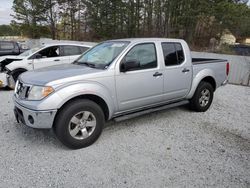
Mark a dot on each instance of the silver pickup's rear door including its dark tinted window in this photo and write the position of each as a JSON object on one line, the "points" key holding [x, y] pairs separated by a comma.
{"points": [[177, 71]]}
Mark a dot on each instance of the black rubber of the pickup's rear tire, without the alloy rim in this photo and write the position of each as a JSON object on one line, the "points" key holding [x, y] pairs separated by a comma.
{"points": [[195, 105]]}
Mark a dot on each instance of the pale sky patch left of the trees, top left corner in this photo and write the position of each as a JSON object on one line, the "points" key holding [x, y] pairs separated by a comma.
{"points": [[5, 11]]}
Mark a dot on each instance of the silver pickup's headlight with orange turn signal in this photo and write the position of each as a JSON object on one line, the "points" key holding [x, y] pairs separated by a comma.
{"points": [[39, 92]]}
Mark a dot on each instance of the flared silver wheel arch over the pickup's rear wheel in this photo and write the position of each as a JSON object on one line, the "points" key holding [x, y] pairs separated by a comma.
{"points": [[197, 79]]}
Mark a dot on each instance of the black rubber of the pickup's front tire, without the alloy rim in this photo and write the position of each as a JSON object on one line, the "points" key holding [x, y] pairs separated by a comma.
{"points": [[64, 117]]}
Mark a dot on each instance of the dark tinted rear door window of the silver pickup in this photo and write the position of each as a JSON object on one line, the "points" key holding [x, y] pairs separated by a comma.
{"points": [[173, 53]]}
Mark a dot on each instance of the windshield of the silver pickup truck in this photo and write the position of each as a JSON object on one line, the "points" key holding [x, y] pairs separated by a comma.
{"points": [[102, 55]]}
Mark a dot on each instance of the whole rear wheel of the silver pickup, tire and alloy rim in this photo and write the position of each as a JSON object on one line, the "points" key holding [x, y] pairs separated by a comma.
{"points": [[202, 98]]}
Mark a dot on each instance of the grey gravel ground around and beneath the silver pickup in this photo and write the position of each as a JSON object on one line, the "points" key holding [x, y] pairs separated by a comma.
{"points": [[172, 148]]}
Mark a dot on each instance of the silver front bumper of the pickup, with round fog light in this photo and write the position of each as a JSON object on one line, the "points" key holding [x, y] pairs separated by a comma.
{"points": [[33, 118]]}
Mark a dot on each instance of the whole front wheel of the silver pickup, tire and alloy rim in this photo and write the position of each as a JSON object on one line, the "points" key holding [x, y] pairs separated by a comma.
{"points": [[79, 124]]}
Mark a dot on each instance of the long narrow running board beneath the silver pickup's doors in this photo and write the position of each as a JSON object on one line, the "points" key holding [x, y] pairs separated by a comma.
{"points": [[140, 113]]}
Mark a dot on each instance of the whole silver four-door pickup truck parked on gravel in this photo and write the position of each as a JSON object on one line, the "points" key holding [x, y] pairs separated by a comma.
{"points": [[117, 79]]}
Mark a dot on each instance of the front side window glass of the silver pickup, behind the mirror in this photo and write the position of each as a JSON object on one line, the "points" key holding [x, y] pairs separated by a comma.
{"points": [[144, 55]]}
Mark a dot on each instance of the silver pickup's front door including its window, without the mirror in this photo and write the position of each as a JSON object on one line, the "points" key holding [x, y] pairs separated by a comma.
{"points": [[143, 85]]}
